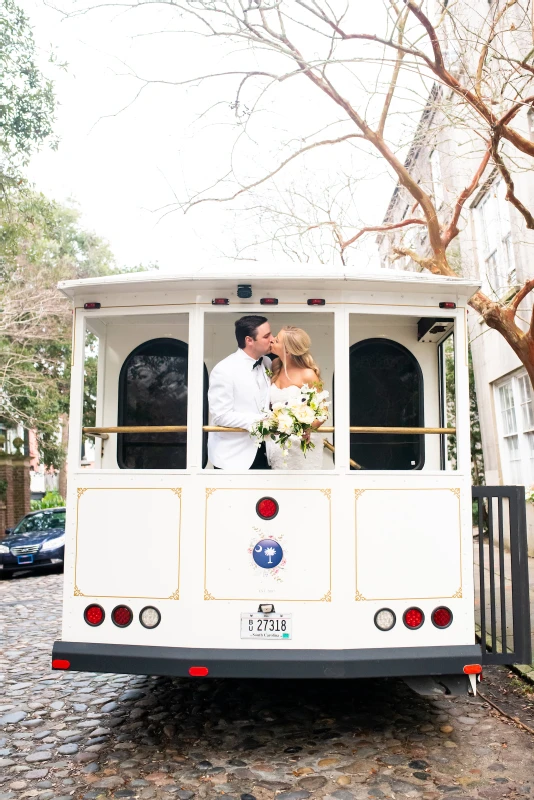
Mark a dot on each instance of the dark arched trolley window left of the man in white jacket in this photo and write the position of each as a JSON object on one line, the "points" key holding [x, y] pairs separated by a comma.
{"points": [[153, 390]]}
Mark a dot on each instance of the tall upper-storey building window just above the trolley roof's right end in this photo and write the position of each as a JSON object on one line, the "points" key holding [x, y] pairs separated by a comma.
{"points": [[494, 240]]}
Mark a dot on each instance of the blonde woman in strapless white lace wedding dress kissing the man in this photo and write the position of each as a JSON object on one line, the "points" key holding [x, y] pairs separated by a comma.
{"points": [[290, 371]]}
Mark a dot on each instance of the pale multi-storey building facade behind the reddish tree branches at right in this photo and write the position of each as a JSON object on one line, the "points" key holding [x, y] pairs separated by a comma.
{"points": [[494, 246]]}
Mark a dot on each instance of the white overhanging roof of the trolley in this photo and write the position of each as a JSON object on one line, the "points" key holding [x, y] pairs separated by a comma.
{"points": [[282, 275]]}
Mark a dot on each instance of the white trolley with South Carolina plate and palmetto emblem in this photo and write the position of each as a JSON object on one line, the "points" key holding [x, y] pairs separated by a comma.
{"points": [[374, 567]]}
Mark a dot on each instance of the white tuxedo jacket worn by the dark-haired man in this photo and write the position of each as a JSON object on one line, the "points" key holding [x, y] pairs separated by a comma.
{"points": [[237, 395]]}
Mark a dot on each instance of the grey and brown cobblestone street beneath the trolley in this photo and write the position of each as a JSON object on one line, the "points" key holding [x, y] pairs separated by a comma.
{"points": [[66, 735]]}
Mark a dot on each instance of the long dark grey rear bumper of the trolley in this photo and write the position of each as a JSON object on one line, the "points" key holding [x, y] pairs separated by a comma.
{"points": [[267, 663]]}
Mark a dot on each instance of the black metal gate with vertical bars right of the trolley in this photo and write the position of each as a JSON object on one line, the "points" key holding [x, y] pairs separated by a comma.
{"points": [[502, 604]]}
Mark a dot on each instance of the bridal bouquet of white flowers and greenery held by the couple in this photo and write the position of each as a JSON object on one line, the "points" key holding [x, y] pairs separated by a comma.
{"points": [[292, 420]]}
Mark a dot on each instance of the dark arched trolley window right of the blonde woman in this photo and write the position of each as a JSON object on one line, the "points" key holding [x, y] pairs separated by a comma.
{"points": [[386, 390]]}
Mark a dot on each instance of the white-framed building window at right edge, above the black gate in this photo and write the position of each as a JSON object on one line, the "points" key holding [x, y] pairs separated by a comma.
{"points": [[516, 409]]}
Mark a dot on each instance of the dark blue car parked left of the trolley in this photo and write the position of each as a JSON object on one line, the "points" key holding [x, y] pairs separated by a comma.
{"points": [[37, 541]]}
